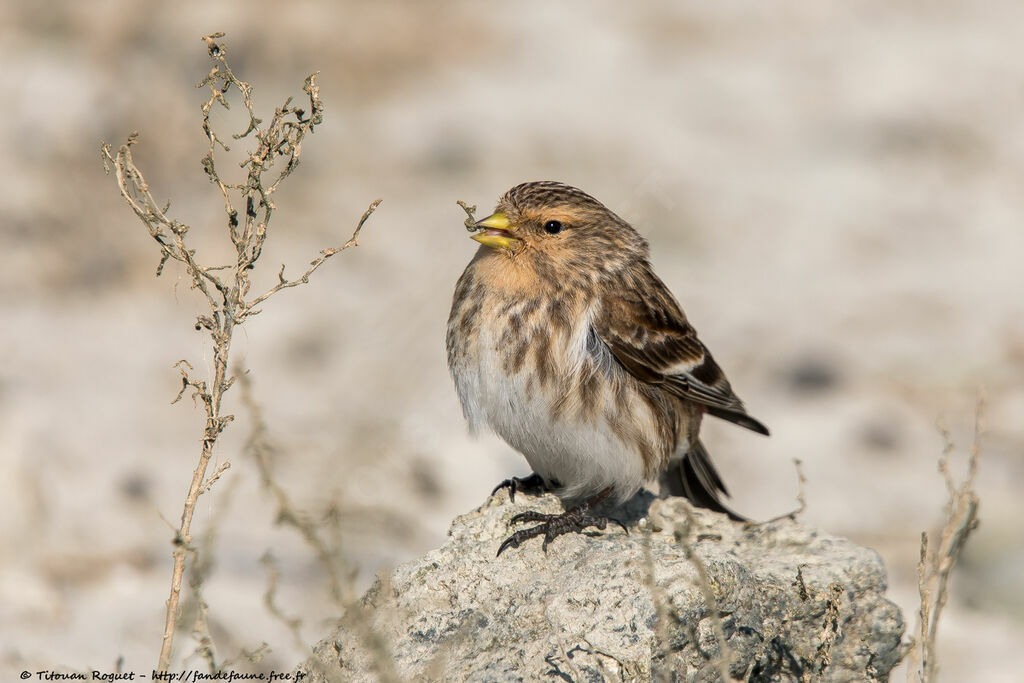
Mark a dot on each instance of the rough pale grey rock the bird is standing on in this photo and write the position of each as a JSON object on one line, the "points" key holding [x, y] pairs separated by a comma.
{"points": [[792, 603]]}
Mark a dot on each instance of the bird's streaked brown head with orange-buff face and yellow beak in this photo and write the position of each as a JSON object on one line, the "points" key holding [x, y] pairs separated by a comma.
{"points": [[554, 226]]}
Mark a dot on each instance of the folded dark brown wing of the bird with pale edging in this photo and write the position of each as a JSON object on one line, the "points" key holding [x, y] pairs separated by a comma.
{"points": [[649, 334]]}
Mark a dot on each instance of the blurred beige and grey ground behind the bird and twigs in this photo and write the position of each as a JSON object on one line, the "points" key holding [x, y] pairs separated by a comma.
{"points": [[832, 193]]}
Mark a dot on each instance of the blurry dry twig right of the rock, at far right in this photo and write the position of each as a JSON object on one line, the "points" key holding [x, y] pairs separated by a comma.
{"points": [[937, 561]]}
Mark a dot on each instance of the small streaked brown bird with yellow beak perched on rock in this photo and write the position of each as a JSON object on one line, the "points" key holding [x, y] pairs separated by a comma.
{"points": [[566, 344]]}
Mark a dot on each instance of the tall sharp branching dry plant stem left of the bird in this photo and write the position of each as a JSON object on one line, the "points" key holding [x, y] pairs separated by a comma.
{"points": [[278, 147]]}
